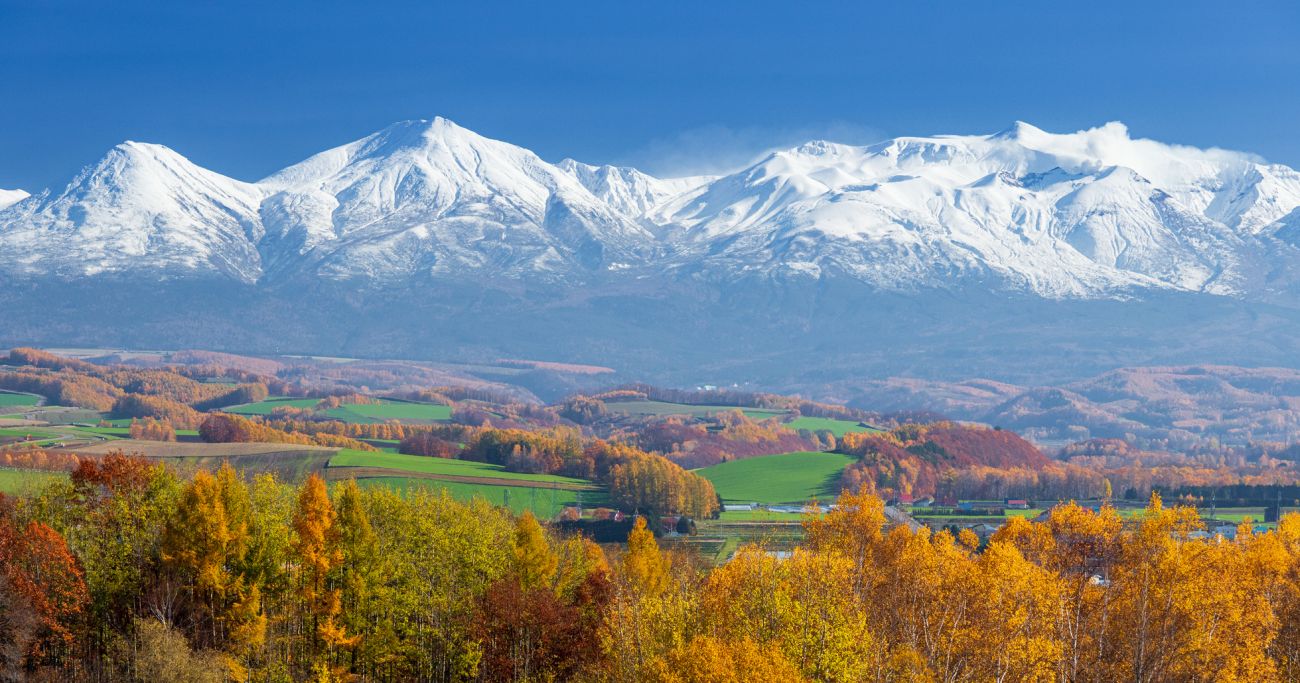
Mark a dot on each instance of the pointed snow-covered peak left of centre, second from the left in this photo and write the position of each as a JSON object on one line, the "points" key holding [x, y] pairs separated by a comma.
{"points": [[430, 198]]}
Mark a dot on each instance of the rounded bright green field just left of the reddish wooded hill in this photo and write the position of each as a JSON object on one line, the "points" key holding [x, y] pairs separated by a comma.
{"points": [[791, 478]]}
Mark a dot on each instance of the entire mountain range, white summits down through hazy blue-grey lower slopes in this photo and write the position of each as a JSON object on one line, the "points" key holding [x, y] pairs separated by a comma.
{"points": [[918, 254]]}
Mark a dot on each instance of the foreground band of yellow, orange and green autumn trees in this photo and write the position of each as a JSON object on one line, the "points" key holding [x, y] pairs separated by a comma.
{"points": [[127, 573]]}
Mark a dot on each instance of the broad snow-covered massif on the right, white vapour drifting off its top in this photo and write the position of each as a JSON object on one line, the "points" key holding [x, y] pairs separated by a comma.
{"points": [[1078, 215]]}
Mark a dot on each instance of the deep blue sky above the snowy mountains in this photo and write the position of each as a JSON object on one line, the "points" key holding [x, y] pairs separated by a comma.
{"points": [[249, 88]]}
